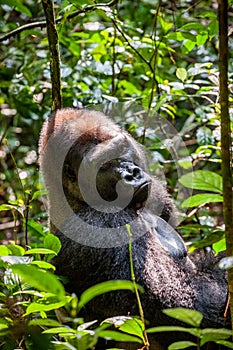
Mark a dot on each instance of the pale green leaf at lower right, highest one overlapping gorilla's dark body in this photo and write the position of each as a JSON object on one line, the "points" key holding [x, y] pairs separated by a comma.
{"points": [[192, 317]]}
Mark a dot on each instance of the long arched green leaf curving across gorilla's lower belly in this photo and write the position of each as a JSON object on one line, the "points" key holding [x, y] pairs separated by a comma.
{"points": [[105, 287]]}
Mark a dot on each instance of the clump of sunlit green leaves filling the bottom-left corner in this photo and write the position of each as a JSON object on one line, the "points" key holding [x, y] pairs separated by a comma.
{"points": [[35, 310]]}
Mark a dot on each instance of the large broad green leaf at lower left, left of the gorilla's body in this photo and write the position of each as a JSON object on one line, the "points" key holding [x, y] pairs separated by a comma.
{"points": [[39, 279]]}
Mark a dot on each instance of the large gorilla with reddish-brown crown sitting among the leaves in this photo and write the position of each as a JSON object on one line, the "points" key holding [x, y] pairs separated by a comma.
{"points": [[98, 181]]}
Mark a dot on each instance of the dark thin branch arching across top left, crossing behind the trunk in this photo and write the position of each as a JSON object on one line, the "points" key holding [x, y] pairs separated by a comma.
{"points": [[42, 24]]}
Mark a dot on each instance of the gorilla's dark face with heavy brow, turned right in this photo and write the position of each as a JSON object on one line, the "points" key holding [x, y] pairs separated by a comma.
{"points": [[111, 173]]}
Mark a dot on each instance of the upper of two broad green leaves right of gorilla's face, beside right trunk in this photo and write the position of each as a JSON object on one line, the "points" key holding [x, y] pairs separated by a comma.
{"points": [[202, 180]]}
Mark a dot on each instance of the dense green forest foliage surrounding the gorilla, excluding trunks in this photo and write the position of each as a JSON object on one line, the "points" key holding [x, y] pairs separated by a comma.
{"points": [[156, 54]]}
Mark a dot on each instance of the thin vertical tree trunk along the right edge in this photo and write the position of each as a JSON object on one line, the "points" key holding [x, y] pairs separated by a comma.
{"points": [[226, 137]]}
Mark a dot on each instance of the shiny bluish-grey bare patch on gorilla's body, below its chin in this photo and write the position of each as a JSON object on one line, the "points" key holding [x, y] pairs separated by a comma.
{"points": [[170, 240]]}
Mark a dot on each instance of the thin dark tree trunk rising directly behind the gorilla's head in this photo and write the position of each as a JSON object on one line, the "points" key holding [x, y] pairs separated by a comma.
{"points": [[54, 54]]}
